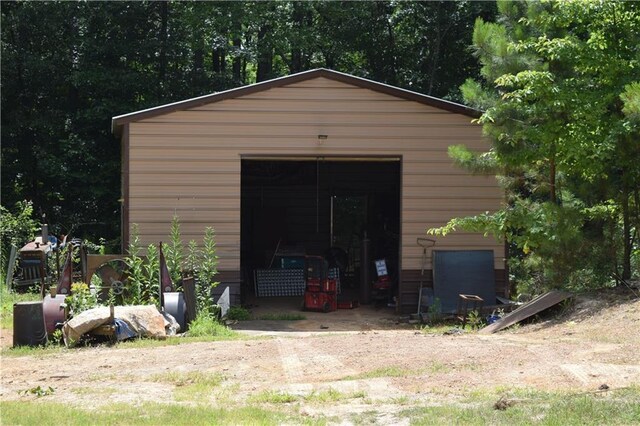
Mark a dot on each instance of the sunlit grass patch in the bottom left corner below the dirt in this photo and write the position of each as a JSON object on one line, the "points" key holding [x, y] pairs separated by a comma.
{"points": [[30, 413]]}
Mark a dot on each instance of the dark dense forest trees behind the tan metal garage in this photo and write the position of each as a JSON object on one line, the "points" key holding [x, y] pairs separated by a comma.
{"points": [[68, 67]]}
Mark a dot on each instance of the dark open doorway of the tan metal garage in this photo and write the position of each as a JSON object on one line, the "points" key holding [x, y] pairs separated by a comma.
{"points": [[338, 208]]}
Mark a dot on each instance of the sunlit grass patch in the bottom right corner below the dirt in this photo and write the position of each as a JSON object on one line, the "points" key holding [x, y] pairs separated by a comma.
{"points": [[535, 407]]}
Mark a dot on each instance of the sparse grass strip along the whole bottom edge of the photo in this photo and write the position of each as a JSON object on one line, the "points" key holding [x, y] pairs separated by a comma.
{"points": [[522, 407]]}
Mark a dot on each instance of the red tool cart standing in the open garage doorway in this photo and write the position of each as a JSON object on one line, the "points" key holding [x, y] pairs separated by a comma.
{"points": [[321, 292]]}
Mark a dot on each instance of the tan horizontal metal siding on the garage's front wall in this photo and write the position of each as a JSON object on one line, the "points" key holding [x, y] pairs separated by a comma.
{"points": [[188, 162]]}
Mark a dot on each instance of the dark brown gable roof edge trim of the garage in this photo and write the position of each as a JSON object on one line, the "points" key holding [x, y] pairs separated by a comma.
{"points": [[117, 122]]}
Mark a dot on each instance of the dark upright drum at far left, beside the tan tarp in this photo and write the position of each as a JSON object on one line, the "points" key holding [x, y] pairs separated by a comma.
{"points": [[28, 324]]}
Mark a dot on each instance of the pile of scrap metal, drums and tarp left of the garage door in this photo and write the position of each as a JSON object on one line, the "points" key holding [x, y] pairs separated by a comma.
{"points": [[36, 322]]}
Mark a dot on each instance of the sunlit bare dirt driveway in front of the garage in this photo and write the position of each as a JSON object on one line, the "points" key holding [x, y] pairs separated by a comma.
{"points": [[595, 343]]}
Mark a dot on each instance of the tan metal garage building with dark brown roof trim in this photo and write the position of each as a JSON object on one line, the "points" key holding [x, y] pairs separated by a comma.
{"points": [[303, 163]]}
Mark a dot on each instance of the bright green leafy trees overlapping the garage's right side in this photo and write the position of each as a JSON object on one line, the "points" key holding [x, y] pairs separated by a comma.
{"points": [[561, 98]]}
